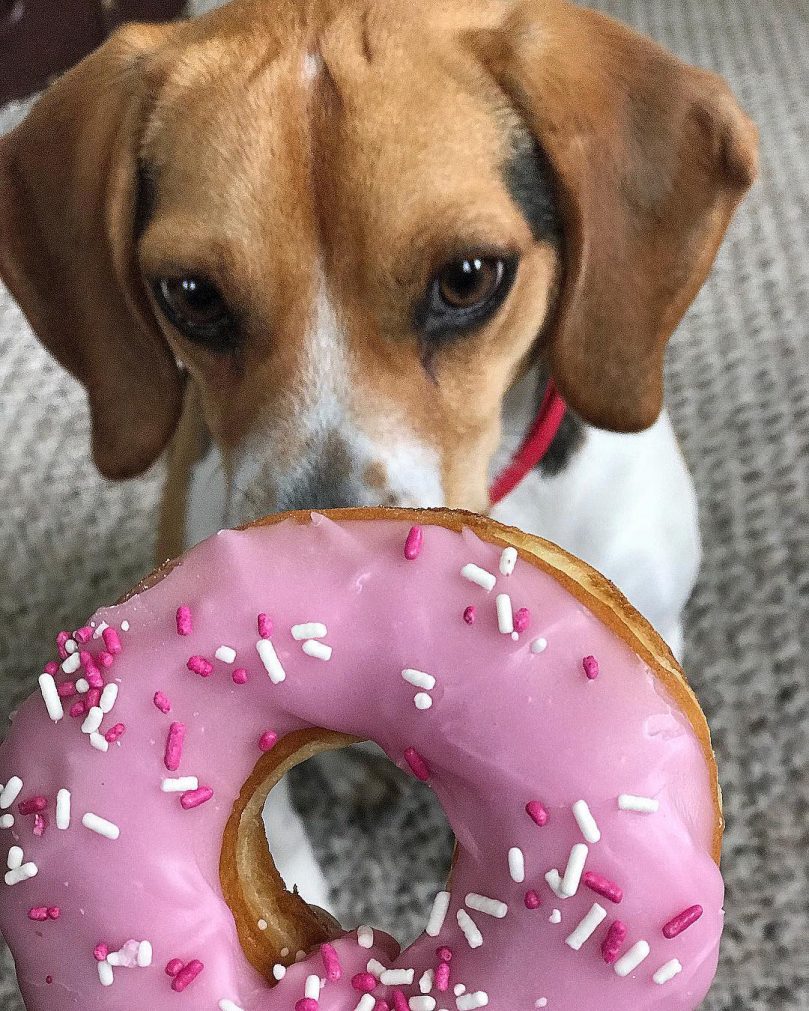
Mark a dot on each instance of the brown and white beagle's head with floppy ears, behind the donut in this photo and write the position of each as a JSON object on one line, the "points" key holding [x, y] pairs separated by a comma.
{"points": [[355, 224]]}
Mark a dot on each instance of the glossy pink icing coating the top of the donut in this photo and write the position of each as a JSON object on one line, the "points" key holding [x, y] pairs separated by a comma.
{"points": [[506, 726]]}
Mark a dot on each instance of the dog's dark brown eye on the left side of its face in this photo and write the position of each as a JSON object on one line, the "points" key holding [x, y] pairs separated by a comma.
{"points": [[198, 310]]}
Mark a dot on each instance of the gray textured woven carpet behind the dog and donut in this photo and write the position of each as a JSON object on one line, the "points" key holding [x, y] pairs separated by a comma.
{"points": [[739, 389]]}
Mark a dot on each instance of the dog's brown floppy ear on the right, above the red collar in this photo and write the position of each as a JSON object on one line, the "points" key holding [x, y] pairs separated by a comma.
{"points": [[651, 157]]}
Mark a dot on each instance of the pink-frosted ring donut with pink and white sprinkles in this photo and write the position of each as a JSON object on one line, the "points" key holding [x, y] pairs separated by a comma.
{"points": [[561, 738]]}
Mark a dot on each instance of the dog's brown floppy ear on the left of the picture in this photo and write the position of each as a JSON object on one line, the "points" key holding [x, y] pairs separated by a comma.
{"points": [[68, 197]]}
